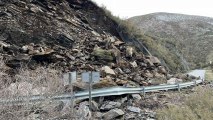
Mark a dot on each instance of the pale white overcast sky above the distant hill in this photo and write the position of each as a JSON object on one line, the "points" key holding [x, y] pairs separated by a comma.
{"points": [[130, 8]]}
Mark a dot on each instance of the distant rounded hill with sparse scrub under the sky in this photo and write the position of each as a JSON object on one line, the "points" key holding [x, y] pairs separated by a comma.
{"points": [[187, 37]]}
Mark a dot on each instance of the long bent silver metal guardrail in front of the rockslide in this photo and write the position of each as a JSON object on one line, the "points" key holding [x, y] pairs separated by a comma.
{"points": [[113, 91]]}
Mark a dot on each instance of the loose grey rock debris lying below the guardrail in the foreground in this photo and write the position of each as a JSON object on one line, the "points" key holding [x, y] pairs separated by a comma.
{"points": [[121, 108]]}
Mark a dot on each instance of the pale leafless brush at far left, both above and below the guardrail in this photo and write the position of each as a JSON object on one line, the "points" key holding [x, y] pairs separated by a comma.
{"points": [[42, 80]]}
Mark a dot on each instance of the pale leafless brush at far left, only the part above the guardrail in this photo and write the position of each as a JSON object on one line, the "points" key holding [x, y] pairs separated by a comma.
{"points": [[27, 82]]}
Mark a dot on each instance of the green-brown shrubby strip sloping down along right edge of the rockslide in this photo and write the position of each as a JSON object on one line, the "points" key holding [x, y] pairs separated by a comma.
{"points": [[146, 44]]}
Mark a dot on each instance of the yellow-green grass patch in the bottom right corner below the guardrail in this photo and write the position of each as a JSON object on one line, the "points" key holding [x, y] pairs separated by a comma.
{"points": [[198, 106]]}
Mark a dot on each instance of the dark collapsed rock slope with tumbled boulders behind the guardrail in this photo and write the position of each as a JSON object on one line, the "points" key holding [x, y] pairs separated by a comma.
{"points": [[57, 34]]}
